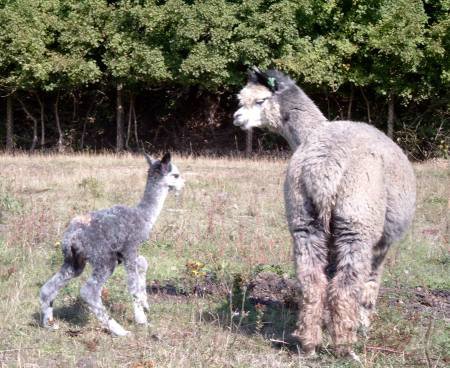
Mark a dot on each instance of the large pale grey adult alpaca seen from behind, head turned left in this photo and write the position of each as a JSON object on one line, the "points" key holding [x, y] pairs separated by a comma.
{"points": [[349, 194]]}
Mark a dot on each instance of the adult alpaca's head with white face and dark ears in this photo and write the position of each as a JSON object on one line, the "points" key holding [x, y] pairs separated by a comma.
{"points": [[260, 101]]}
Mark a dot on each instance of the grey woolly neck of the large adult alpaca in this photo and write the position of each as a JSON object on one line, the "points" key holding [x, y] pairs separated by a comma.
{"points": [[301, 118]]}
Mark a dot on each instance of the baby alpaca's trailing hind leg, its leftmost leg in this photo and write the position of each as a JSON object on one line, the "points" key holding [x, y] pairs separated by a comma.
{"points": [[50, 289]]}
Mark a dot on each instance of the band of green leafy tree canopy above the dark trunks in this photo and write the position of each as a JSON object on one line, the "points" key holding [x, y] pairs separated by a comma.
{"points": [[391, 47]]}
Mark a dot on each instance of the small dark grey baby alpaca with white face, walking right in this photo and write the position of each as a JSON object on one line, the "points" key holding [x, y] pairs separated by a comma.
{"points": [[107, 237]]}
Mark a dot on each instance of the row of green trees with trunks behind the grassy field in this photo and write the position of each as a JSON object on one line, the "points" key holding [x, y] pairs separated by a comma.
{"points": [[366, 54]]}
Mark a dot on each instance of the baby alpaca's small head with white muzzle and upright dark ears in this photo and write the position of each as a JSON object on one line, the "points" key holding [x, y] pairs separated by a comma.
{"points": [[165, 172]]}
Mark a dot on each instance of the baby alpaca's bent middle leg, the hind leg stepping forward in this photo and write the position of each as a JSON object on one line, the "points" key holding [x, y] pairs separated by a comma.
{"points": [[91, 294]]}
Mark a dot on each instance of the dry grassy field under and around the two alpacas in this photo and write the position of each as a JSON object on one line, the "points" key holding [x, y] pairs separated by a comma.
{"points": [[227, 226]]}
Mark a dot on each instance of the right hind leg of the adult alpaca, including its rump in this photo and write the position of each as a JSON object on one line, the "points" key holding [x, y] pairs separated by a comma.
{"points": [[357, 227]]}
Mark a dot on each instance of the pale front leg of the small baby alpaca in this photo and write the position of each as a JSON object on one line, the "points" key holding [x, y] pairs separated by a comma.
{"points": [[136, 269]]}
